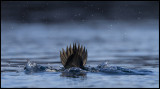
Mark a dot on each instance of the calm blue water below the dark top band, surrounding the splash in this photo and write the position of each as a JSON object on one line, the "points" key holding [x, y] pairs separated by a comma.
{"points": [[128, 45]]}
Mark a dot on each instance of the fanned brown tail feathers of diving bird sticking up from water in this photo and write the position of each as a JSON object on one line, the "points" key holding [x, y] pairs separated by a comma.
{"points": [[74, 57]]}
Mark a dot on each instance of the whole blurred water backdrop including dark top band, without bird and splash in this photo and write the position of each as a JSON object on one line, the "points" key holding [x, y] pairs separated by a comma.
{"points": [[124, 33]]}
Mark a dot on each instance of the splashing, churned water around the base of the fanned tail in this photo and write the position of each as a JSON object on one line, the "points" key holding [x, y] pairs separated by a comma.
{"points": [[75, 72]]}
